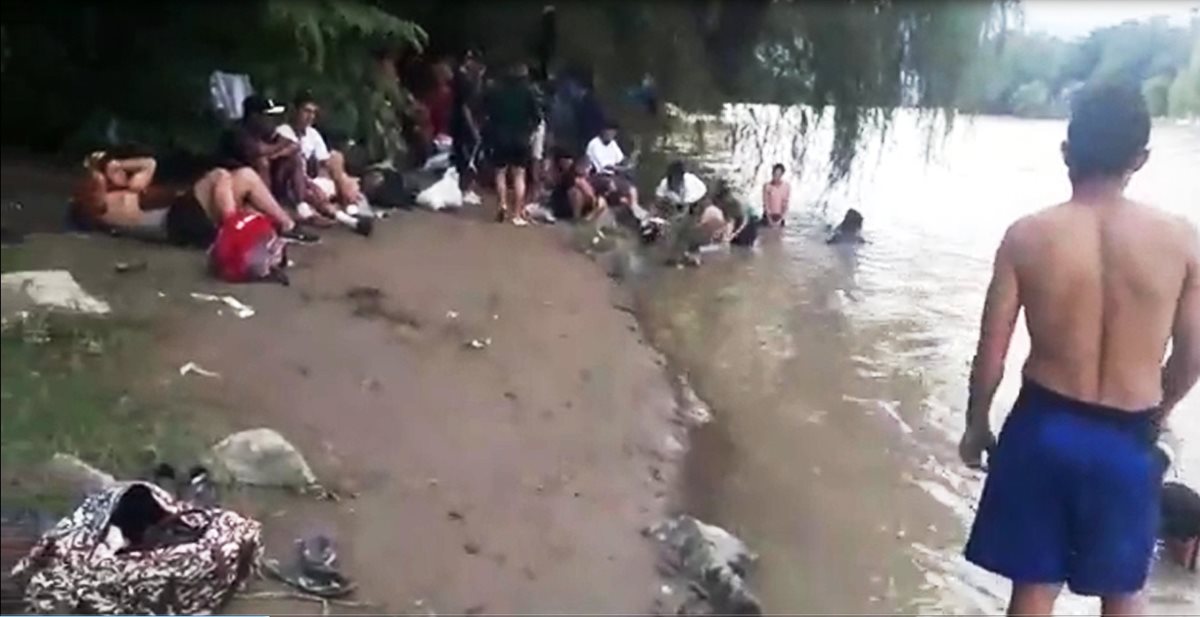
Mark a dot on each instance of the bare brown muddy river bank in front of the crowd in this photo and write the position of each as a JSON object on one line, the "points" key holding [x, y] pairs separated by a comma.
{"points": [[515, 478]]}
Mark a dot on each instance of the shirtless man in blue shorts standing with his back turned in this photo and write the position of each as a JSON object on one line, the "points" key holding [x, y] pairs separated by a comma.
{"points": [[1073, 489]]}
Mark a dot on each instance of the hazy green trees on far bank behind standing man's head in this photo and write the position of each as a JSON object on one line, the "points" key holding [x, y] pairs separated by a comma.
{"points": [[1034, 75]]}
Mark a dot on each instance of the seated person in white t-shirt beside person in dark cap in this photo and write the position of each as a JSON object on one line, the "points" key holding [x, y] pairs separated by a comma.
{"points": [[334, 193]]}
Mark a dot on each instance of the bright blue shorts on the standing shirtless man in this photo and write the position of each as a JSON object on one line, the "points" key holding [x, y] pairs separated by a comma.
{"points": [[1072, 496]]}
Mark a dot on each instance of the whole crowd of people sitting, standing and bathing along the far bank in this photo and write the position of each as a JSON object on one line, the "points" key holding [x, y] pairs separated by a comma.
{"points": [[274, 164]]}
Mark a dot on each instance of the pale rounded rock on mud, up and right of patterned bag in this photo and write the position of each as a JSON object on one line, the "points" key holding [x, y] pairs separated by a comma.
{"points": [[260, 458]]}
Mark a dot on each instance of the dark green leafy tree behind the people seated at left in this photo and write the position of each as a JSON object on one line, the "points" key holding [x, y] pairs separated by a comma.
{"points": [[73, 69]]}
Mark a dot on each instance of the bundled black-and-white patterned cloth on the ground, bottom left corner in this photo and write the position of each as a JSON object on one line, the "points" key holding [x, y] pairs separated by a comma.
{"points": [[133, 549]]}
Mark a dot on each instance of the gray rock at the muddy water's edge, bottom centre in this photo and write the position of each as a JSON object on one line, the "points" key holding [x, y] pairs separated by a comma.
{"points": [[712, 559]]}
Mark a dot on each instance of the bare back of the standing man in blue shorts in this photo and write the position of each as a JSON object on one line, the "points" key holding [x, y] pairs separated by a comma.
{"points": [[1102, 286]]}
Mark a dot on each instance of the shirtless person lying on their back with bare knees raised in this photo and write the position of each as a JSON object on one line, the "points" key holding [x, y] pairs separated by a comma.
{"points": [[121, 195]]}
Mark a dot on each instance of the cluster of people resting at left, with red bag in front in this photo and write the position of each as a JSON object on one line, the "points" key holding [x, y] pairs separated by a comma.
{"points": [[275, 181]]}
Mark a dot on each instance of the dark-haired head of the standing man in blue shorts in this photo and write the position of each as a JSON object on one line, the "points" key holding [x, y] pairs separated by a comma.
{"points": [[1109, 128]]}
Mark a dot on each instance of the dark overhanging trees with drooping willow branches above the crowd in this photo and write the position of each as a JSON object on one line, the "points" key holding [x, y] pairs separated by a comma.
{"points": [[73, 68]]}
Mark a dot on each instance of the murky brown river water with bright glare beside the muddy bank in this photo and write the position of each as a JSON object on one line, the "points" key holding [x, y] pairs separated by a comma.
{"points": [[838, 376]]}
